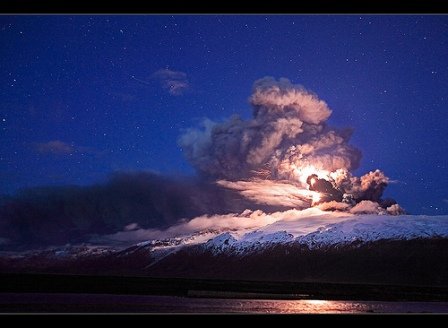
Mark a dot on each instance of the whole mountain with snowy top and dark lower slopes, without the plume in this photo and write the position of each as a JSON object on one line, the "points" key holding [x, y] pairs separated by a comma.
{"points": [[296, 245]]}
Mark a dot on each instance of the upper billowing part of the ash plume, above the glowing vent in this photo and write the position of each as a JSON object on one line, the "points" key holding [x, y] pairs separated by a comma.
{"points": [[286, 135]]}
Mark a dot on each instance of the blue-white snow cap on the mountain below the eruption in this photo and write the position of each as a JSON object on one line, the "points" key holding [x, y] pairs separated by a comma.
{"points": [[323, 230]]}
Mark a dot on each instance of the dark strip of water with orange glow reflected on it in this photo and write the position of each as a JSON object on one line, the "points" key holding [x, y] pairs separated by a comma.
{"points": [[14, 302]]}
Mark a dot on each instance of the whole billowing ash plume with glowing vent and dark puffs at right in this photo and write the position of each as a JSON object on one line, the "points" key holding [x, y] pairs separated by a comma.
{"points": [[285, 143]]}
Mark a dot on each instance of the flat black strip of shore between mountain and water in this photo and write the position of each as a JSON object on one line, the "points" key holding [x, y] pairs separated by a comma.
{"points": [[214, 288]]}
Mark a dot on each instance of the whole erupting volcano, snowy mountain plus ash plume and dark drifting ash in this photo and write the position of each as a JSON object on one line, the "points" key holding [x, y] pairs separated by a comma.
{"points": [[276, 189]]}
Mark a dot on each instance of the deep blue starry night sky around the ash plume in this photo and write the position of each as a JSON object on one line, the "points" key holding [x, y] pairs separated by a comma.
{"points": [[80, 96]]}
